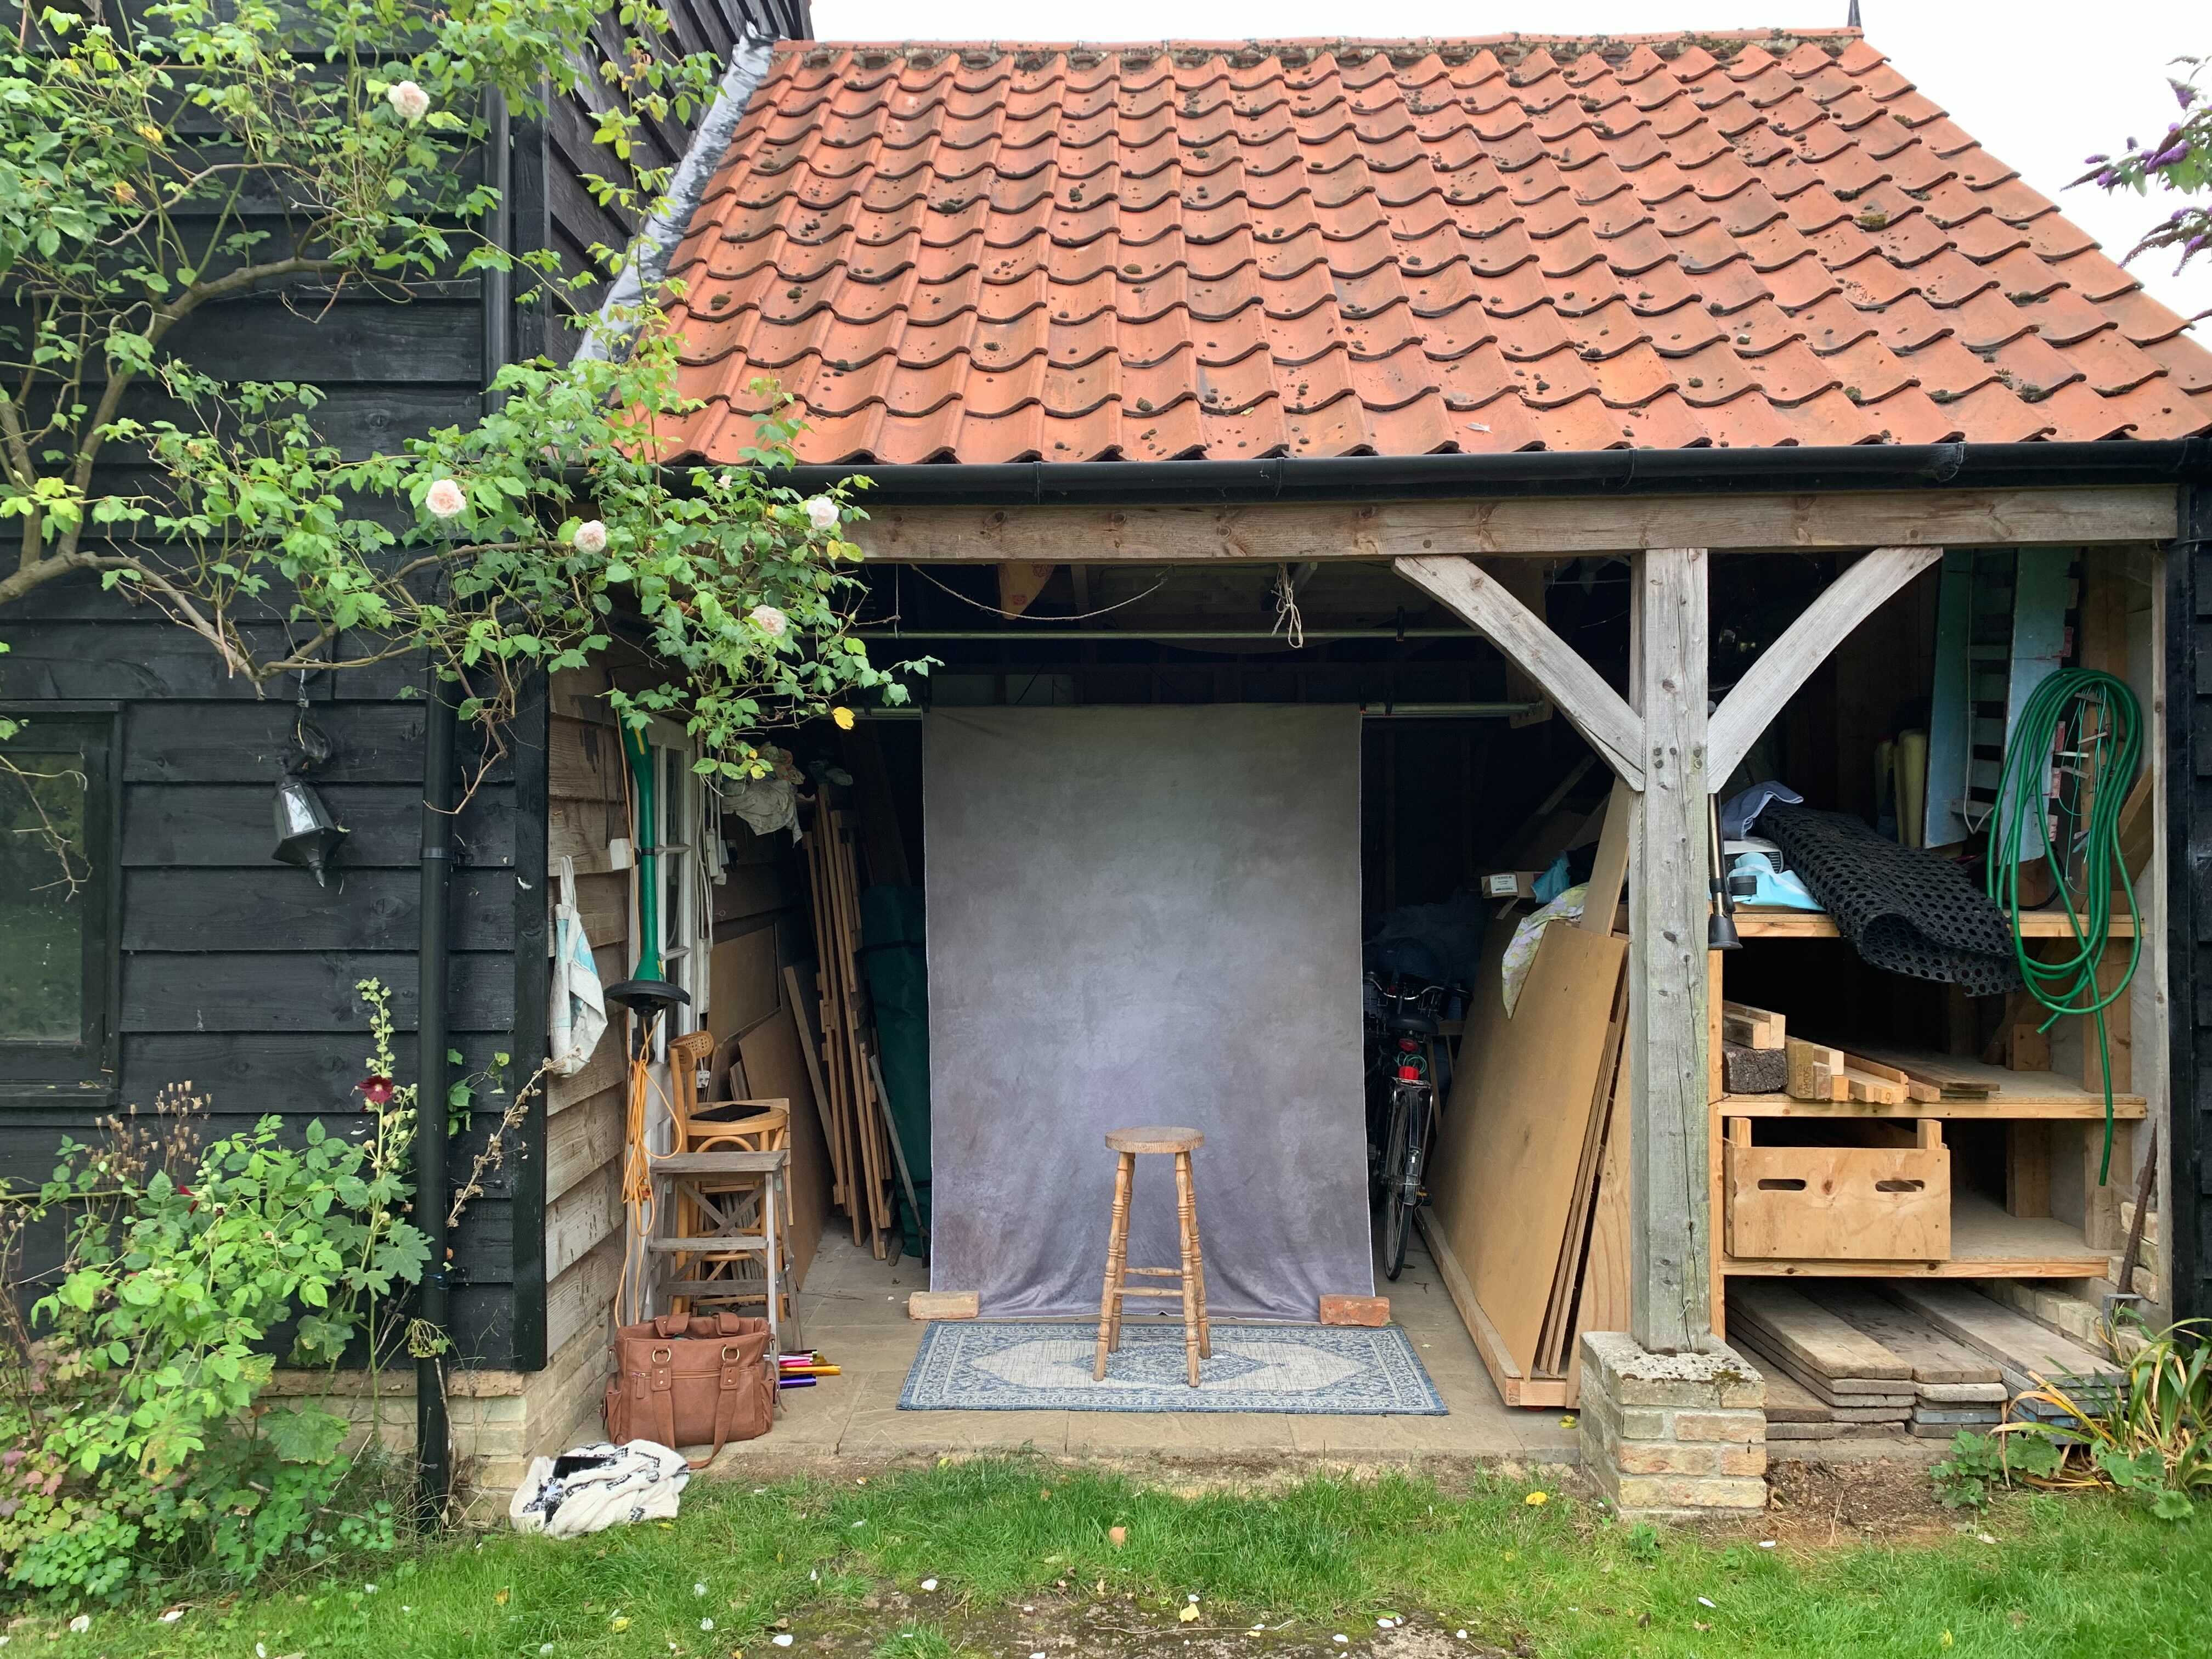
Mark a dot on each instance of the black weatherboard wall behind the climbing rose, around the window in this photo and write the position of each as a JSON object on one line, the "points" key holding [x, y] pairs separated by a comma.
{"points": [[236, 972]]}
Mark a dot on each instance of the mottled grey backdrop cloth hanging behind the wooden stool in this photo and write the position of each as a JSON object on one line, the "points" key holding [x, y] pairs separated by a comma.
{"points": [[1147, 917]]}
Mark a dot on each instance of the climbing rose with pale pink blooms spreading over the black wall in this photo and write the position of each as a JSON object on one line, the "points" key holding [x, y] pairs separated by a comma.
{"points": [[200, 152]]}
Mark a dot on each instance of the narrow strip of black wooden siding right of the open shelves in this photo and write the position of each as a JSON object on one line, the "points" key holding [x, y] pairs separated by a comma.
{"points": [[2189, 901]]}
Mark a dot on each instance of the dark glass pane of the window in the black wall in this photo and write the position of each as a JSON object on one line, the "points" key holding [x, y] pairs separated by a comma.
{"points": [[43, 897]]}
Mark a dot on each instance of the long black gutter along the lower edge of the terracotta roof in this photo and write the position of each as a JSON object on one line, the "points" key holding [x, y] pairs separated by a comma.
{"points": [[1541, 472]]}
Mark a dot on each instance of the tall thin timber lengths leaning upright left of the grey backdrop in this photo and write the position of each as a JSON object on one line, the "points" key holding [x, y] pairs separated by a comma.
{"points": [[842, 1052]]}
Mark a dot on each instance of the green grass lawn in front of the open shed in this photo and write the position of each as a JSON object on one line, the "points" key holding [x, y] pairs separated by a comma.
{"points": [[1025, 1563]]}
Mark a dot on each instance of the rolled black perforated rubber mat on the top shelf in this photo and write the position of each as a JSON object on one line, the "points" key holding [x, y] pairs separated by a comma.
{"points": [[1903, 908]]}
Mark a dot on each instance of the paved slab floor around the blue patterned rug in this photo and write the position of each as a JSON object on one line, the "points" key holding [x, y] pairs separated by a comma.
{"points": [[855, 1308]]}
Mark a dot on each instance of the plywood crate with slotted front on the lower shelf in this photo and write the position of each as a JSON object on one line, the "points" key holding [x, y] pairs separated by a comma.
{"points": [[1839, 1202]]}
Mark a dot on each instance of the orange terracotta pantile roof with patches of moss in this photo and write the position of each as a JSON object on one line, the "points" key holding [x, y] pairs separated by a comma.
{"points": [[1331, 249]]}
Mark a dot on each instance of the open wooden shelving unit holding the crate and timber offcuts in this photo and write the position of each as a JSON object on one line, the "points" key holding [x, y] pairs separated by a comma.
{"points": [[2016, 1238]]}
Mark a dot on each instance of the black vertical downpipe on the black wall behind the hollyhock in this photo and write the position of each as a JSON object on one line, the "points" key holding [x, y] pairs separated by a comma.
{"points": [[435, 1450]]}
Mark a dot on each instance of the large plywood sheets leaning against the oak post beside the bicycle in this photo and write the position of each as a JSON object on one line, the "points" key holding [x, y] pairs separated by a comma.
{"points": [[1530, 1187]]}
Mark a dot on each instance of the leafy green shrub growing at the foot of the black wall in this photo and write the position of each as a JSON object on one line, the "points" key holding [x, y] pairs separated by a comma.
{"points": [[132, 1406]]}
